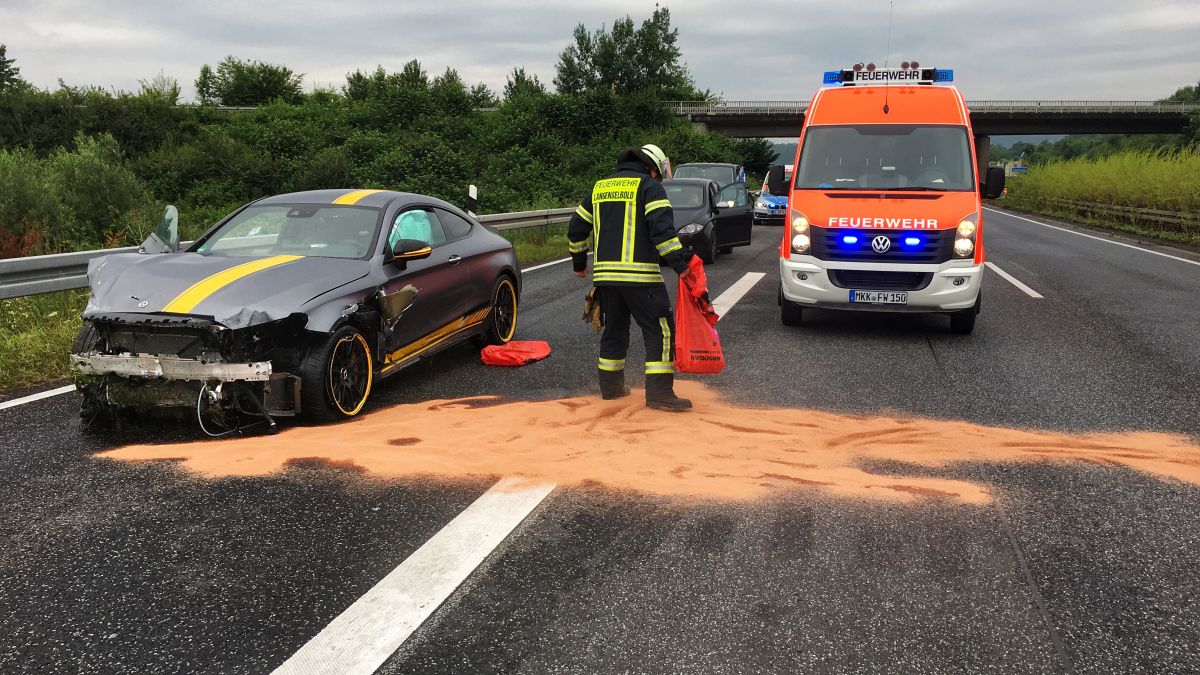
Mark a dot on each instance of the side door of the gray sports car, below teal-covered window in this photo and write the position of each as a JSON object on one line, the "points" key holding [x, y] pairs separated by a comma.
{"points": [[425, 296]]}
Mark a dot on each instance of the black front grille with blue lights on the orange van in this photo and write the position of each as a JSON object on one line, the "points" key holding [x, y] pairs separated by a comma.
{"points": [[937, 246]]}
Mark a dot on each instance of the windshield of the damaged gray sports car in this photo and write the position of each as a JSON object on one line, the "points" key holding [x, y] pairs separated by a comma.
{"points": [[325, 231]]}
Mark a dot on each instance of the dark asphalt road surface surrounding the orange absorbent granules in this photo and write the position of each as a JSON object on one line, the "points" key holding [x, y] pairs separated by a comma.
{"points": [[1075, 568]]}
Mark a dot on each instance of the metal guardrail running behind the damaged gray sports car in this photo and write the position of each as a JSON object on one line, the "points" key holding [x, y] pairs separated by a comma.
{"points": [[63, 272]]}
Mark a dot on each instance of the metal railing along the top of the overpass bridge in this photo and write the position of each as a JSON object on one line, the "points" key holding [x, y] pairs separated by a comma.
{"points": [[979, 106]]}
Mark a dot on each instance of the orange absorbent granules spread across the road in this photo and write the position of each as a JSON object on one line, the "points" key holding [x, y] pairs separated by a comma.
{"points": [[721, 451]]}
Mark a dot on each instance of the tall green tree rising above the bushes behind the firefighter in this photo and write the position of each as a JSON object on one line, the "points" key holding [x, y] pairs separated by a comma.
{"points": [[627, 59]]}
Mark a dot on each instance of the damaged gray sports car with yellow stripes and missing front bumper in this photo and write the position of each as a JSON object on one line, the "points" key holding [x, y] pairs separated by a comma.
{"points": [[296, 304]]}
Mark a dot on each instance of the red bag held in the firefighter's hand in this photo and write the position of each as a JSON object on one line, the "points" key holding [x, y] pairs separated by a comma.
{"points": [[698, 347]]}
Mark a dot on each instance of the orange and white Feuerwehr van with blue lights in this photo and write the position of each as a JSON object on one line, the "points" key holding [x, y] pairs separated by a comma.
{"points": [[885, 200]]}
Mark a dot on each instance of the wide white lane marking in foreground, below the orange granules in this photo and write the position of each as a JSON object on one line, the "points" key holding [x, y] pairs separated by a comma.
{"points": [[371, 630]]}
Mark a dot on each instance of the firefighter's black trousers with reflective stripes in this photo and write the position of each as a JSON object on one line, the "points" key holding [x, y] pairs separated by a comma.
{"points": [[649, 306]]}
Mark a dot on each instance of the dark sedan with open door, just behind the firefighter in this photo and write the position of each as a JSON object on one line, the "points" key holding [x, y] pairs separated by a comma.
{"points": [[710, 220]]}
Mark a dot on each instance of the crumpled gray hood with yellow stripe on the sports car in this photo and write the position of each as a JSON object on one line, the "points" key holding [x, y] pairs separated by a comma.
{"points": [[233, 291]]}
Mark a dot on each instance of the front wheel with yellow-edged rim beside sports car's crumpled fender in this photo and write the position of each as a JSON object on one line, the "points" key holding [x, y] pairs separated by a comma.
{"points": [[337, 377]]}
